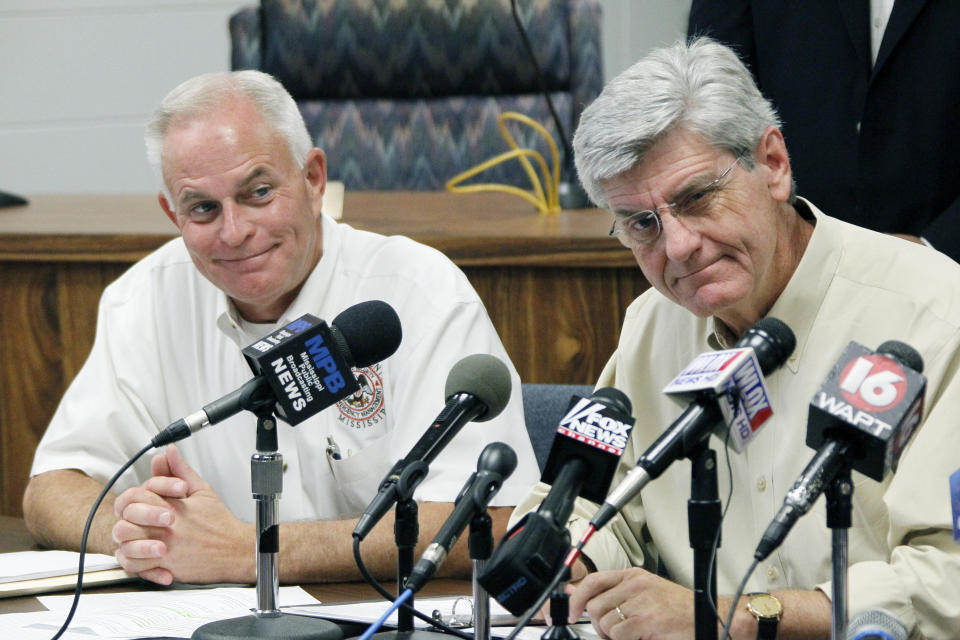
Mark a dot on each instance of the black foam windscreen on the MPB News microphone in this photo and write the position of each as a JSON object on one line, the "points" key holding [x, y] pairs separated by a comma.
{"points": [[371, 331]]}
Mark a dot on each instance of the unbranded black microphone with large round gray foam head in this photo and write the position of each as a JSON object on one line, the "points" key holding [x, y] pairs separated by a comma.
{"points": [[478, 389]]}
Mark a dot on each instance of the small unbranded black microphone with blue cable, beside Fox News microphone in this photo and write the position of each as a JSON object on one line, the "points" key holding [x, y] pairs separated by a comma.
{"points": [[495, 464]]}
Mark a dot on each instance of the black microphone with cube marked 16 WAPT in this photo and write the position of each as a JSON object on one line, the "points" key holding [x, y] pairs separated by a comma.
{"points": [[862, 415]]}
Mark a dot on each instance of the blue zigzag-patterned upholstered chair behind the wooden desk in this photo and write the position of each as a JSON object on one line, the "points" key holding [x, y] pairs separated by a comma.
{"points": [[405, 95]]}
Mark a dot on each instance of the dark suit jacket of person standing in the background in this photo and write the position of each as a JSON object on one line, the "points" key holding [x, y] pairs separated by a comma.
{"points": [[880, 146]]}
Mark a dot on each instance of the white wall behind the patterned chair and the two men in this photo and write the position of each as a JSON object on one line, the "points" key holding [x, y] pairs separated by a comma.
{"points": [[78, 78]]}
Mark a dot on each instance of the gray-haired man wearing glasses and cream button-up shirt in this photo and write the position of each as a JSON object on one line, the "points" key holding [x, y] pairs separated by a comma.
{"points": [[688, 156]]}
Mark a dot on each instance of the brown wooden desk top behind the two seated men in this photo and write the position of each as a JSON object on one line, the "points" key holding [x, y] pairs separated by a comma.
{"points": [[472, 229]]}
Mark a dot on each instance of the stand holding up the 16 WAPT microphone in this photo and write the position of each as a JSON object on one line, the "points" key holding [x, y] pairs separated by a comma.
{"points": [[839, 495]]}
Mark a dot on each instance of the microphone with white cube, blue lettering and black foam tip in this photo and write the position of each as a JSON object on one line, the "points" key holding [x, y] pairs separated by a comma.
{"points": [[714, 380]]}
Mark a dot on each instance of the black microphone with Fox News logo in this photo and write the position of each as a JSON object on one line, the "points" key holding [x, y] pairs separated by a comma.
{"points": [[583, 459]]}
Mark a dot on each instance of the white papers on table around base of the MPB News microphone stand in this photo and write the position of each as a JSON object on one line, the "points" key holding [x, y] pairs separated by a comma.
{"points": [[143, 613]]}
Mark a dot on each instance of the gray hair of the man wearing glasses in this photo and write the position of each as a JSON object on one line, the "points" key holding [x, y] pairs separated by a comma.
{"points": [[700, 86]]}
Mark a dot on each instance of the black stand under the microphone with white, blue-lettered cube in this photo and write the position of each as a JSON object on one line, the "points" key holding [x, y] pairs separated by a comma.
{"points": [[703, 522]]}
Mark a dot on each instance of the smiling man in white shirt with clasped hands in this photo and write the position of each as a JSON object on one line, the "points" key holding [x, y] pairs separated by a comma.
{"points": [[244, 185]]}
